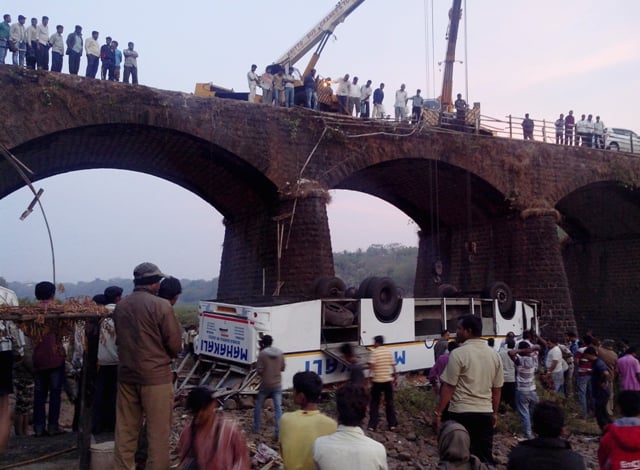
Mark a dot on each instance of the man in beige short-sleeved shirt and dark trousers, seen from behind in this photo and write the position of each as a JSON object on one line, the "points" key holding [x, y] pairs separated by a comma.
{"points": [[471, 386]]}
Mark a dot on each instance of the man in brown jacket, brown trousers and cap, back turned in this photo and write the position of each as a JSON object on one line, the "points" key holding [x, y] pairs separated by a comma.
{"points": [[149, 337]]}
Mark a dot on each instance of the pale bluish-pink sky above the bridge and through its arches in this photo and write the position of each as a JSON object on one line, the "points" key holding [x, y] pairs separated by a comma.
{"points": [[543, 58]]}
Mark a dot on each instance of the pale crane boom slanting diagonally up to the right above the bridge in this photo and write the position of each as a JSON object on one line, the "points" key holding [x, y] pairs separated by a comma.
{"points": [[319, 34]]}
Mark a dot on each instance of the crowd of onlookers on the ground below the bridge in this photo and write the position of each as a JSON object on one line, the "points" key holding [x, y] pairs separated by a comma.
{"points": [[474, 382]]}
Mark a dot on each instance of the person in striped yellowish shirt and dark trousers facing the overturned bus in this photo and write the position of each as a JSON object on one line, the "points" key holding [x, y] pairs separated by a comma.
{"points": [[383, 376]]}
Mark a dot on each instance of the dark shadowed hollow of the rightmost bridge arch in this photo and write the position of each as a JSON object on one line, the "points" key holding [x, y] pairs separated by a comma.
{"points": [[600, 247]]}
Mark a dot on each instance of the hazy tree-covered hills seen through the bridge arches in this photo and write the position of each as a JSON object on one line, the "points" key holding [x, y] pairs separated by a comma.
{"points": [[394, 260]]}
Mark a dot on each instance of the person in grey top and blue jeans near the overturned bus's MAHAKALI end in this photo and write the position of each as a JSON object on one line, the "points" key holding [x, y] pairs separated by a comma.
{"points": [[269, 367]]}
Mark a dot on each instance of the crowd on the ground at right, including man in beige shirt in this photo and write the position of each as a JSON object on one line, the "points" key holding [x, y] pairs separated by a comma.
{"points": [[475, 383]]}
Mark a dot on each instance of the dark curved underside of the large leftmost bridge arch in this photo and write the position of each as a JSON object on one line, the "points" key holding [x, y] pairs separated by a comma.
{"points": [[222, 179]]}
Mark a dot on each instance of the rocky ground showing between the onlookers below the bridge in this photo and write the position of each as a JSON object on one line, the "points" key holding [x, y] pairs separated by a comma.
{"points": [[411, 446]]}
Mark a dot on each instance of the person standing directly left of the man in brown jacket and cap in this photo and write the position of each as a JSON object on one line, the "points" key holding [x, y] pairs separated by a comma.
{"points": [[104, 401]]}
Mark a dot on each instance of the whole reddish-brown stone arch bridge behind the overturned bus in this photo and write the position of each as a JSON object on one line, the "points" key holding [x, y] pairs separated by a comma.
{"points": [[555, 223]]}
